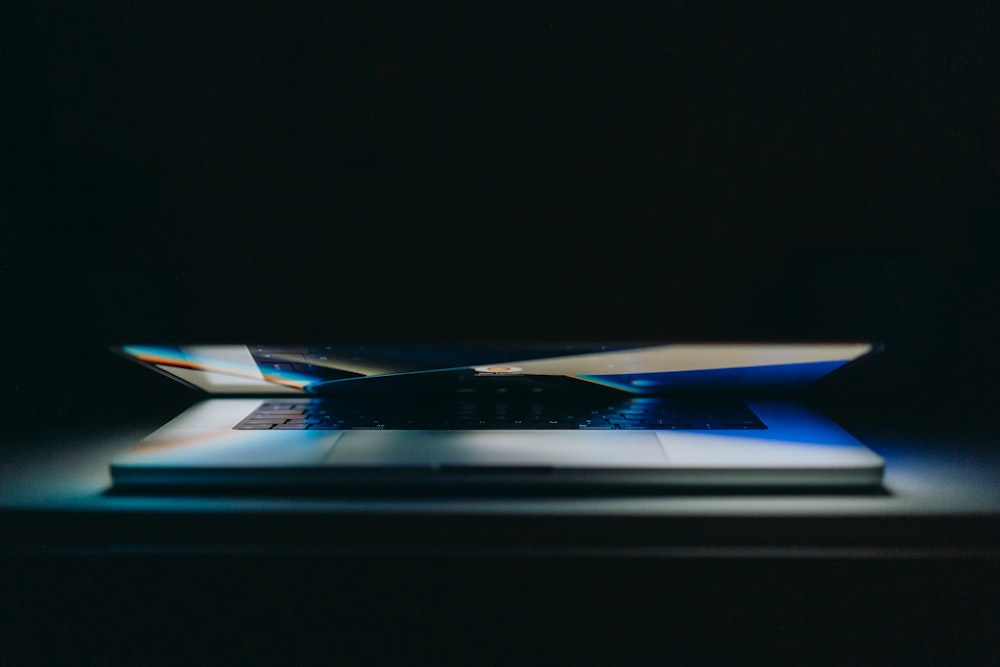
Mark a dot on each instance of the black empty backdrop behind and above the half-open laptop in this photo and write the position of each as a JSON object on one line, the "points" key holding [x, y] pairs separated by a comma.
{"points": [[371, 171]]}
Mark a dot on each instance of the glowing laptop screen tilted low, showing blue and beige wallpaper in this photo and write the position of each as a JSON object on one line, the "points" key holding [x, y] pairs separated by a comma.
{"points": [[633, 368]]}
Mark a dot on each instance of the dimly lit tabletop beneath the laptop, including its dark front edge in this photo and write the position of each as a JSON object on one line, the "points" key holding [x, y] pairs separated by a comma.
{"points": [[940, 494]]}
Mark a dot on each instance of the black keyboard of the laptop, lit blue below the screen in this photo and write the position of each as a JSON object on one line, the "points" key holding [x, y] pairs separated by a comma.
{"points": [[639, 413]]}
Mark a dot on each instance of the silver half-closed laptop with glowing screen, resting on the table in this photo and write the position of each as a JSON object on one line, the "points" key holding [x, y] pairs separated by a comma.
{"points": [[581, 414]]}
